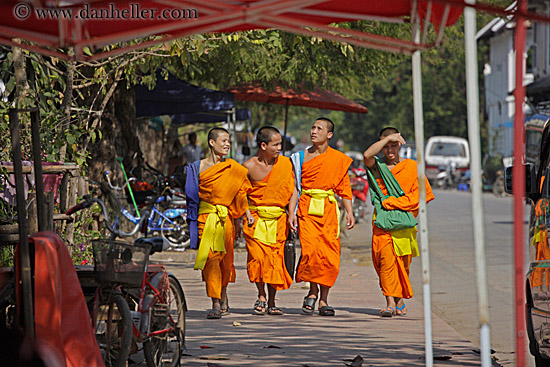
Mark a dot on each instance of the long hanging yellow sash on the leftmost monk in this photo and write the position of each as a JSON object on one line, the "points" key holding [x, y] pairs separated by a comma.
{"points": [[213, 234]]}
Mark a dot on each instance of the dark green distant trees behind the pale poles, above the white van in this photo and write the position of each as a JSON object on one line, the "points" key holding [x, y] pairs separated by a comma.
{"points": [[443, 90]]}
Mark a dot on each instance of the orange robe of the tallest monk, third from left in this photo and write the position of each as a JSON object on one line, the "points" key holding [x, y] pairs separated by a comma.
{"points": [[319, 235]]}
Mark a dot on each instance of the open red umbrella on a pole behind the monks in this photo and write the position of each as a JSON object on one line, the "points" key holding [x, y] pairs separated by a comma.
{"points": [[317, 98]]}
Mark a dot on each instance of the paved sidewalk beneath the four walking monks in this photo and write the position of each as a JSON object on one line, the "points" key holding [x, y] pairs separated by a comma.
{"points": [[244, 339]]}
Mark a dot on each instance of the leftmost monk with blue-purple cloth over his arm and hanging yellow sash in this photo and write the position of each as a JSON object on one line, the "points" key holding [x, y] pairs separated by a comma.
{"points": [[216, 192]]}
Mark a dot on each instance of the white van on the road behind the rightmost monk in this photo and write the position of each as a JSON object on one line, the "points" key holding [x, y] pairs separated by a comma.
{"points": [[441, 151]]}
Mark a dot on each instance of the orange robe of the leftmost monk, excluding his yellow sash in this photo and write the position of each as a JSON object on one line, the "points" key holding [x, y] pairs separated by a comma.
{"points": [[225, 184]]}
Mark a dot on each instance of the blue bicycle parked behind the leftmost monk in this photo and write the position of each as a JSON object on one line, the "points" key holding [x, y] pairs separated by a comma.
{"points": [[170, 223]]}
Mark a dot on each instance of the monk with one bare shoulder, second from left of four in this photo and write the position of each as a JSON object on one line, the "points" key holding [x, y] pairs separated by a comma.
{"points": [[272, 187]]}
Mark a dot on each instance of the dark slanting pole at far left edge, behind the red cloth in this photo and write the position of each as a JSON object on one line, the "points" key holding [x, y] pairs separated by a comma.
{"points": [[24, 263]]}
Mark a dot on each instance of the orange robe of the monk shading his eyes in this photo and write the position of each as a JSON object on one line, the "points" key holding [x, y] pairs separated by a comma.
{"points": [[393, 270]]}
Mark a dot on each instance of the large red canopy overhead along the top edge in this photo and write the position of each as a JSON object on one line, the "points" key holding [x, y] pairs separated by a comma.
{"points": [[53, 24]]}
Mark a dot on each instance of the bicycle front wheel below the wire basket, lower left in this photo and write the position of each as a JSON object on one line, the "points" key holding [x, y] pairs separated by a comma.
{"points": [[113, 329]]}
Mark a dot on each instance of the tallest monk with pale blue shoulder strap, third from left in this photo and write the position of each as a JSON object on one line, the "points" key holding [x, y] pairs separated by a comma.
{"points": [[321, 172]]}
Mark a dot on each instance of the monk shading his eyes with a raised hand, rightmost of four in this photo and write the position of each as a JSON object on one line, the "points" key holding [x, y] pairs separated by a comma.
{"points": [[392, 259]]}
